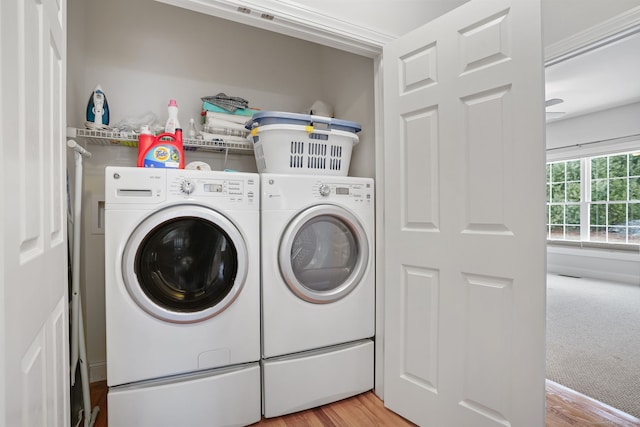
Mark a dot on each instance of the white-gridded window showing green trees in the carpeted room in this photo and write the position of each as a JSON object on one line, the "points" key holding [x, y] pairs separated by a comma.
{"points": [[595, 199]]}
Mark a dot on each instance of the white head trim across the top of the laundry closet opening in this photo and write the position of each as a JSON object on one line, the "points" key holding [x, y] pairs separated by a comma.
{"points": [[291, 19]]}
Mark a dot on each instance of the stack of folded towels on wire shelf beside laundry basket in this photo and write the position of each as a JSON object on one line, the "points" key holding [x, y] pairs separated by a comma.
{"points": [[225, 117]]}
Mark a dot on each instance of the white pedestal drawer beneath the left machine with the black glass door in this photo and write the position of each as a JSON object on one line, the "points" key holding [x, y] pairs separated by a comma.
{"points": [[221, 397]]}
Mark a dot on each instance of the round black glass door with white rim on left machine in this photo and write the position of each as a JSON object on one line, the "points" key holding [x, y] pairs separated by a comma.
{"points": [[185, 263]]}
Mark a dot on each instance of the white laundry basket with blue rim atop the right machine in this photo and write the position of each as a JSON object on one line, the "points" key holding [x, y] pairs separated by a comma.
{"points": [[302, 144]]}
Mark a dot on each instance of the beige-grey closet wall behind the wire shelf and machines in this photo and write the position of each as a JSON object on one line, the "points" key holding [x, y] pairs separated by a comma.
{"points": [[144, 52]]}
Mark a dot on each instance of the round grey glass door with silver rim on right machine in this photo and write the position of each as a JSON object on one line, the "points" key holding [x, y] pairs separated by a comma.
{"points": [[323, 254]]}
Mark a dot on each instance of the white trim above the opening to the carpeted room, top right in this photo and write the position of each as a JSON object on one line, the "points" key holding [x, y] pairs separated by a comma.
{"points": [[608, 31]]}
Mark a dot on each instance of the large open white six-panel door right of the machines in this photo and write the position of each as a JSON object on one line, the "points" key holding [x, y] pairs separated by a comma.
{"points": [[464, 218]]}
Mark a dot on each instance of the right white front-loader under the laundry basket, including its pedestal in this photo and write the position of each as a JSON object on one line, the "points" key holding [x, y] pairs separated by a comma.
{"points": [[318, 289]]}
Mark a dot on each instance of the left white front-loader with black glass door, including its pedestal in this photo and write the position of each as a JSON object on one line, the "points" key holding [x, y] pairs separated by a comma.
{"points": [[182, 295]]}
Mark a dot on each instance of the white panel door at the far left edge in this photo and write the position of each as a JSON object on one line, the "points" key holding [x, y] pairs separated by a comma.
{"points": [[34, 348]]}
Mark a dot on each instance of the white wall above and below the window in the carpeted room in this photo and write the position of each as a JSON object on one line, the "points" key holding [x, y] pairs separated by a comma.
{"points": [[617, 129]]}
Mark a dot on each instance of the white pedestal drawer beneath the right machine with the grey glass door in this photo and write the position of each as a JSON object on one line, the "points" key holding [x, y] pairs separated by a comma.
{"points": [[301, 381]]}
